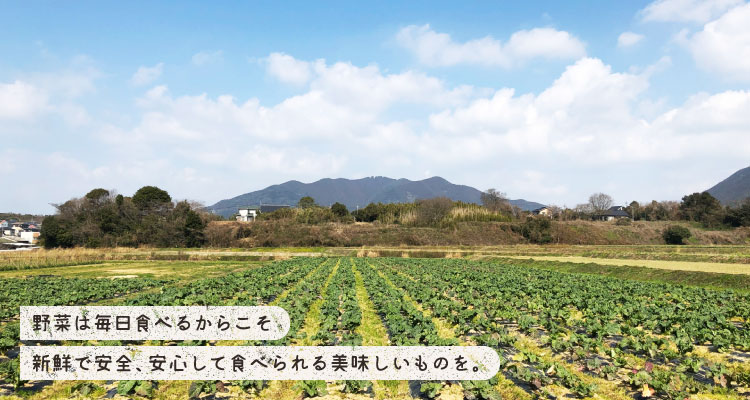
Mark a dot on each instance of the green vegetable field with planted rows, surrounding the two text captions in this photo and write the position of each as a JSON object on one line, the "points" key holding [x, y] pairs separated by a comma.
{"points": [[561, 332]]}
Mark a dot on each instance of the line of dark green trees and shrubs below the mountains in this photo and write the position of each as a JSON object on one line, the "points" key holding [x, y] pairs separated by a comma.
{"points": [[150, 217]]}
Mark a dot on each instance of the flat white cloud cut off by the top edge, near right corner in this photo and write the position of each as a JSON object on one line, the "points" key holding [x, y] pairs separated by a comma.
{"points": [[699, 11]]}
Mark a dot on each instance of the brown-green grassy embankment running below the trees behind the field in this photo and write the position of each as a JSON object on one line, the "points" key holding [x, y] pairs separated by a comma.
{"points": [[288, 233]]}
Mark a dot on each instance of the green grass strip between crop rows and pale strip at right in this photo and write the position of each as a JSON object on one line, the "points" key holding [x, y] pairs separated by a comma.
{"points": [[689, 278]]}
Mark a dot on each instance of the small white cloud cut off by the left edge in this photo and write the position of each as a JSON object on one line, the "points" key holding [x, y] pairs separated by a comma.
{"points": [[21, 101]]}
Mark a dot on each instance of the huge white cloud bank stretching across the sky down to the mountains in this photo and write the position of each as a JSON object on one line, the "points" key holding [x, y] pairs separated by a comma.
{"points": [[358, 121]]}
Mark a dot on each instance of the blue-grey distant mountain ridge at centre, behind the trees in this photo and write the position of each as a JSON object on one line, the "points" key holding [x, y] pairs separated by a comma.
{"points": [[357, 192]]}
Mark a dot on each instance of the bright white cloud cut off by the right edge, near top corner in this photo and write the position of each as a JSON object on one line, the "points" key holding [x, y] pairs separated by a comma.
{"points": [[723, 46]]}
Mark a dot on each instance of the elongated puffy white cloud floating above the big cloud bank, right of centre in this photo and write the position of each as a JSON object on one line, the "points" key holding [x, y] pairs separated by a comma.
{"points": [[439, 49]]}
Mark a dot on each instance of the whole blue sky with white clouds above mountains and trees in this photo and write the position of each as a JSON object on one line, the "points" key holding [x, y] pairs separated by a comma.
{"points": [[548, 101]]}
